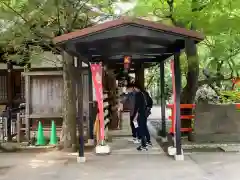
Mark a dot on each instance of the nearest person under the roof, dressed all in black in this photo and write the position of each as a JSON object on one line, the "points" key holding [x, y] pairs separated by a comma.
{"points": [[140, 116]]}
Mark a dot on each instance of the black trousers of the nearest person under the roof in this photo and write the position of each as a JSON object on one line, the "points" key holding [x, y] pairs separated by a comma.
{"points": [[143, 130]]}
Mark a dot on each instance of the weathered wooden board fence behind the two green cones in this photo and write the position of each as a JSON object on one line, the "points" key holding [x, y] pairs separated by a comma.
{"points": [[44, 98]]}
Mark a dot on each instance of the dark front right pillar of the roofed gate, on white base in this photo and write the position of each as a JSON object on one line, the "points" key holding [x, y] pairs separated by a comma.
{"points": [[177, 78]]}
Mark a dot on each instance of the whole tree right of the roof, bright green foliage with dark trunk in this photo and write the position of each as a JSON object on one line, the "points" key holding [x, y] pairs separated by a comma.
{"points": [[217, 20]]}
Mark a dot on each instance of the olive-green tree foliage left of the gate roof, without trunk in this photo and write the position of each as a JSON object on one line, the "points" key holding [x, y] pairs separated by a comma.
{"points": [[29, 26]]}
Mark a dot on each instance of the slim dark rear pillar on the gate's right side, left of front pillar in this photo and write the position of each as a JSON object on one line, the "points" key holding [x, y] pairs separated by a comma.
{"points": [[163, 101]]}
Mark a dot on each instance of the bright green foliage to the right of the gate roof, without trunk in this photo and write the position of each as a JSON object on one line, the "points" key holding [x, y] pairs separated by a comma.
{"points": [[218, 20]]}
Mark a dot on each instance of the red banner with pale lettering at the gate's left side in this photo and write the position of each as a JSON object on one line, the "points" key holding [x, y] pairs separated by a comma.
{"points": [[97, 81]]}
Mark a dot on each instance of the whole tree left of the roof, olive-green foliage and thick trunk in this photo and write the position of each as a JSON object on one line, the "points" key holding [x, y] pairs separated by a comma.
{"points": [[27, 30]]}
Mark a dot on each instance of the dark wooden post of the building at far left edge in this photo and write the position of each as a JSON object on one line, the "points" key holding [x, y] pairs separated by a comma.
{"points": [[10, 98]]}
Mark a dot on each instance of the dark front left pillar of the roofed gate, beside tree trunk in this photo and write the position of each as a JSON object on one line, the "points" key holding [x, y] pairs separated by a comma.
{"points": [[80, 119]]}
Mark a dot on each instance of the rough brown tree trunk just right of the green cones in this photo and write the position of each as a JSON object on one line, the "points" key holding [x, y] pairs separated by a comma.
{"points": [[68, 133]]}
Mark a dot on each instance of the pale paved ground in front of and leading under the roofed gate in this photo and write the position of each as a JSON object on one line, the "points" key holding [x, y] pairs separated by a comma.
{"points": [[125, 163]]}
